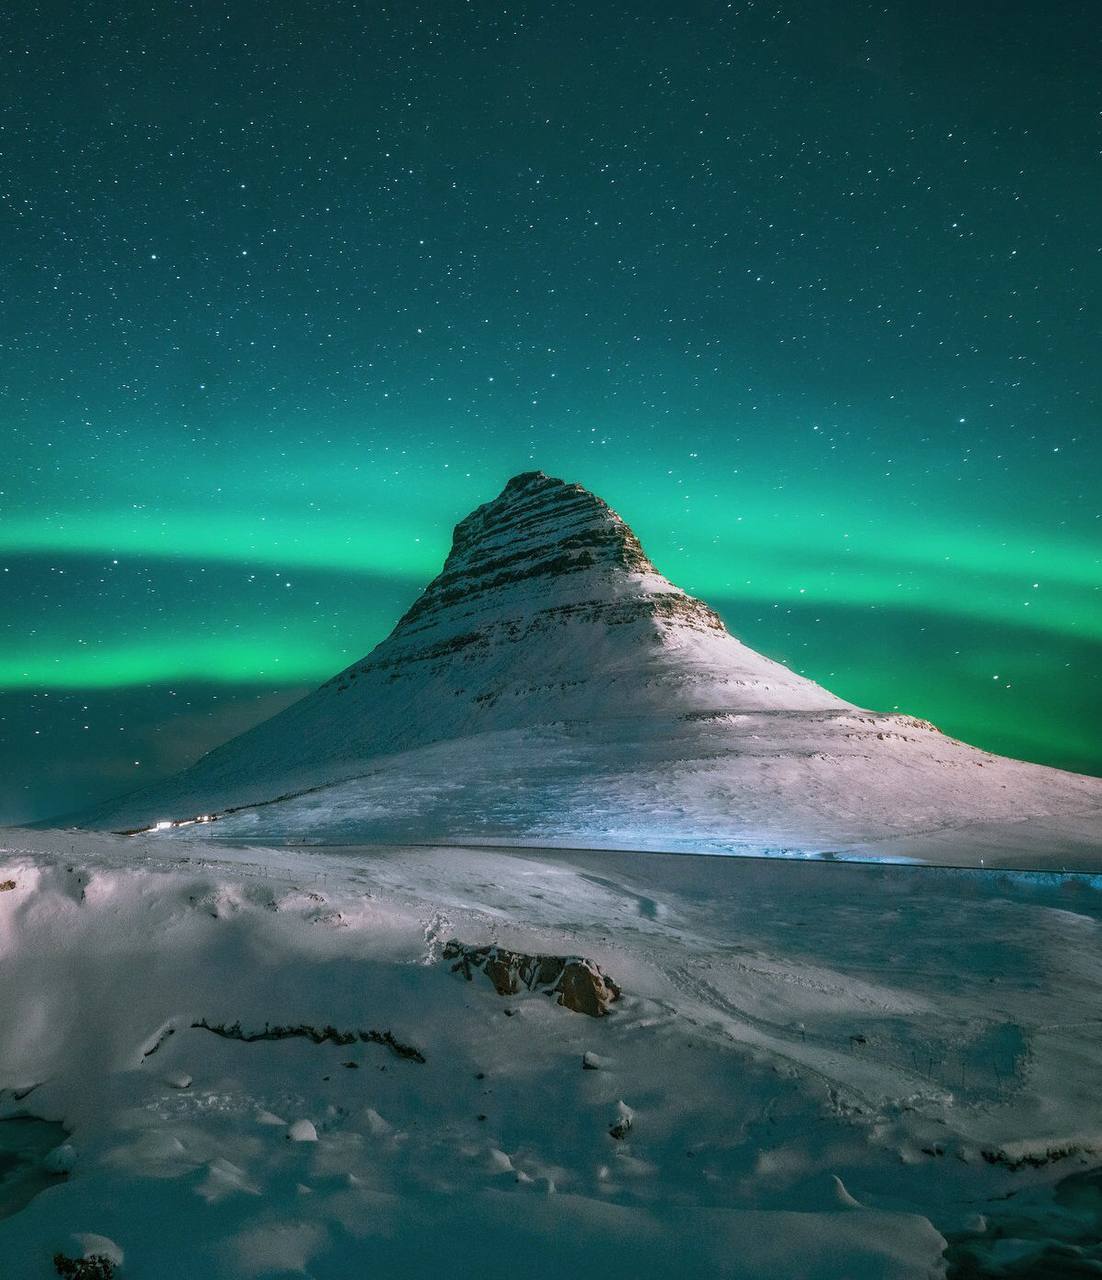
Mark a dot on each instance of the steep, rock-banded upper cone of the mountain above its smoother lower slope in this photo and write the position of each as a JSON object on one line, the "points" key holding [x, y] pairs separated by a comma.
{"points": [[547, 611]]}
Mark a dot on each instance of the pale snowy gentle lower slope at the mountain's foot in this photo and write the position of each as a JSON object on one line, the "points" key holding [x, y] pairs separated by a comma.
{"points": [[849, 784]]}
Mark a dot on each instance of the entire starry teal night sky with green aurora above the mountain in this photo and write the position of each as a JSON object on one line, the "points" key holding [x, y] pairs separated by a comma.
{"points": [[808, 292]]}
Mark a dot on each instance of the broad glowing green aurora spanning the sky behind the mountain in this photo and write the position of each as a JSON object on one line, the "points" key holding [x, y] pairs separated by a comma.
{"points": [[780, 573]]}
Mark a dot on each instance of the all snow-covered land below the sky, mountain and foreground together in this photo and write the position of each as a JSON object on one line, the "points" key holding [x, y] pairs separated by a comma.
{"points": [[249, 1063]]}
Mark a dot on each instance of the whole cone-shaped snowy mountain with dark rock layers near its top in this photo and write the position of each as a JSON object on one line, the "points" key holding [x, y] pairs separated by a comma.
{"points": [[552, 687]]}
